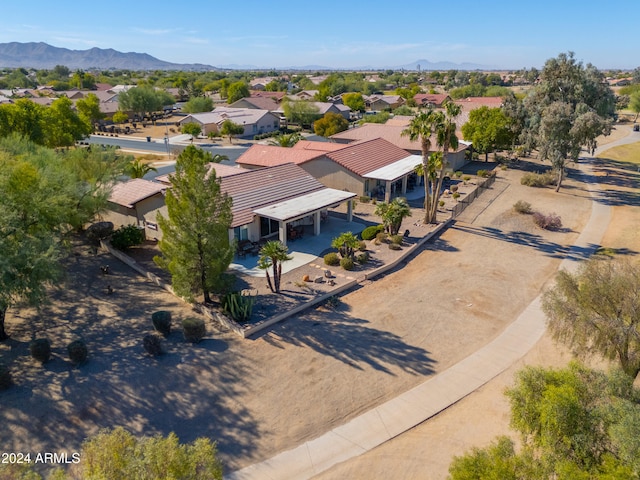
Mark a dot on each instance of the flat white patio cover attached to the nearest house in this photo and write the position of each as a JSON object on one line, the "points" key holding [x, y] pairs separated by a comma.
{"points": [[304, 205]]}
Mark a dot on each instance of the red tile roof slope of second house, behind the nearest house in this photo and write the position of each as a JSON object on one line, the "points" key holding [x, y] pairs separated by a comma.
{"points": [[368, 155]]}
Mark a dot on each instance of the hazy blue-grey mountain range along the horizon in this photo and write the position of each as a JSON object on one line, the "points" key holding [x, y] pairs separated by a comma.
{"points": [[41, 55]]}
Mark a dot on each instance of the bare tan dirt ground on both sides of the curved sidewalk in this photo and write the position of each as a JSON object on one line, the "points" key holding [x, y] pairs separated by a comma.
{"points": [[303, 376]]}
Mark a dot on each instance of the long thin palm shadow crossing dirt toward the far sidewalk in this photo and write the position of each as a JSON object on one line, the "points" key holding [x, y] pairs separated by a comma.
{"points": [[532, 240]]}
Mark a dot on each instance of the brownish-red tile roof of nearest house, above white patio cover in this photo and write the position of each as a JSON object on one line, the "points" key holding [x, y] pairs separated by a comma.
{"points": [[259, 188]]}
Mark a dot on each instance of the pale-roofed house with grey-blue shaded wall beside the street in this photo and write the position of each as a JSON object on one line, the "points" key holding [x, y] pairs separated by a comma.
{"points": [[253, 120]]}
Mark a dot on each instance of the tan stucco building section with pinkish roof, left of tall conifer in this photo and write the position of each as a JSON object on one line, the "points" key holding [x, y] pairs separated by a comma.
{"points": [[137, 202]]}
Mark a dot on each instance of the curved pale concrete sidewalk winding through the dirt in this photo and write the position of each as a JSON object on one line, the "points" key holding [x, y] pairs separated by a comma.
{"points": [[413, 407]]}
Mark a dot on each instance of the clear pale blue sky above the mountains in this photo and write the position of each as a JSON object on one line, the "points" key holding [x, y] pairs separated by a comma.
{"points": [[338, 34]]}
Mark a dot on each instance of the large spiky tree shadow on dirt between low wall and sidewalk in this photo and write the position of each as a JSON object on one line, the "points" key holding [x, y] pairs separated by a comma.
{"points": [[353, 342]]}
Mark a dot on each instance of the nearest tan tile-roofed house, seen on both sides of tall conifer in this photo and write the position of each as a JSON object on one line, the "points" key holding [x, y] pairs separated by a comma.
{"points": [[264, 202]]}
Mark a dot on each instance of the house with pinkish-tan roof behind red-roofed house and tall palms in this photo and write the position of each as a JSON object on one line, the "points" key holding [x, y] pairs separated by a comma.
{"points": [[393, 134]]}
